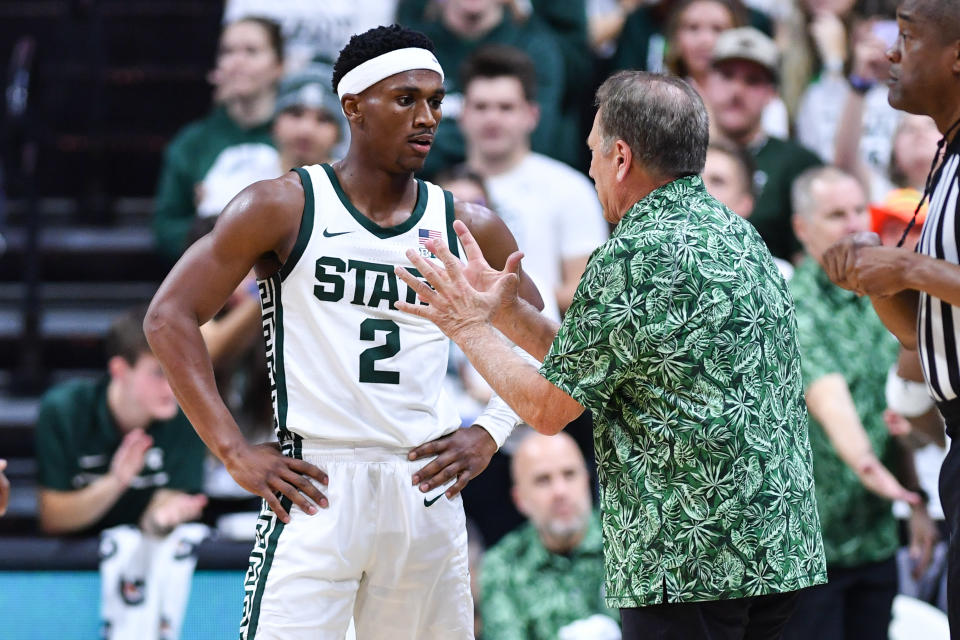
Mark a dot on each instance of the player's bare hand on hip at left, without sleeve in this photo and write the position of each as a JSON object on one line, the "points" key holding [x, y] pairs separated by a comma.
{"points": [[262, 470]]}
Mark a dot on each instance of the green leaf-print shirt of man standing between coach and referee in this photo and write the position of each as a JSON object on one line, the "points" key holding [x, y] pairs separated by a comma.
{"points": [[839, 332]]}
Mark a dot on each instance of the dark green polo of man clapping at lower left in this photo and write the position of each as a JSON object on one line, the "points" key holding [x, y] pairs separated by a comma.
{"points": [[76, 437]]}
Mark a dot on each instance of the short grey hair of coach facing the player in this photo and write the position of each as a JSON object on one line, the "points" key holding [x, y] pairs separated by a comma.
{"points": [[661, 118]]}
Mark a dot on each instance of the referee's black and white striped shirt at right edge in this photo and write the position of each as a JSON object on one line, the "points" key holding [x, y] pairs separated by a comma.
{"points": [[938, 323]]}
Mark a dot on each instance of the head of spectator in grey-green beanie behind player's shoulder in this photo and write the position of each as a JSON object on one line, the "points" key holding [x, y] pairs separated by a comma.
{"points": [[309, 125]]}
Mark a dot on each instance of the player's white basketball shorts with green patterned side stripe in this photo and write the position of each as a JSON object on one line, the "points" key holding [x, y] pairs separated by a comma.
{"points": [[386, 554]]}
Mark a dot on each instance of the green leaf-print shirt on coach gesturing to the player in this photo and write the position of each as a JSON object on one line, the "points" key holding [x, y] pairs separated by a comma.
{"points": [[682, 341]]}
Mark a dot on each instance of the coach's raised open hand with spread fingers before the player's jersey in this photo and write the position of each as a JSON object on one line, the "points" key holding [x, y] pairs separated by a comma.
{"points": [[454, 304]]}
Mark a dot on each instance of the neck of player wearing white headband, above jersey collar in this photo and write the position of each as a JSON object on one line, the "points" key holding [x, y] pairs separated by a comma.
{"points": [[380, 195]]}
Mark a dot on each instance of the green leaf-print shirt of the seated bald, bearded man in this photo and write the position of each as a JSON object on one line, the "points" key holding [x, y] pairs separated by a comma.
{"points": [[529, 593]]}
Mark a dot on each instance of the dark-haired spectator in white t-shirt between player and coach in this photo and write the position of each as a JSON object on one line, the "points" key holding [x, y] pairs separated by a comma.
{"points": [[557, 227]]}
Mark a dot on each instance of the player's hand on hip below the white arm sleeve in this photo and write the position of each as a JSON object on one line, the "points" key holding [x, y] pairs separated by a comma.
{"points": [[462, 454]]}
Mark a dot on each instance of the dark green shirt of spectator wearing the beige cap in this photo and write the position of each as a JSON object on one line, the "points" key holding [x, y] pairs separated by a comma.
{"points": [[779, 162]]}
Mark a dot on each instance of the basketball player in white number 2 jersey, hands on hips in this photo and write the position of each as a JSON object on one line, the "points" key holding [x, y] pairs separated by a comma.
{"points": [[356, 383]]}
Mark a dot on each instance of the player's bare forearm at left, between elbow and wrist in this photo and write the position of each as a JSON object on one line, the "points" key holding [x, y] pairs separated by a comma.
{"points": [[175, 339]]}
